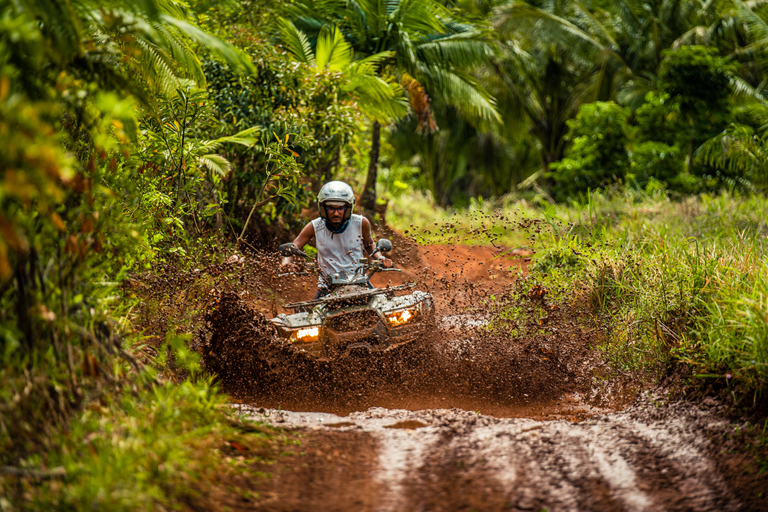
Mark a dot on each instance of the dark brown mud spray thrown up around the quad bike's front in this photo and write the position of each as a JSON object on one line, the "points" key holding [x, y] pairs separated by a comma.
{"points": [[545, 371]]}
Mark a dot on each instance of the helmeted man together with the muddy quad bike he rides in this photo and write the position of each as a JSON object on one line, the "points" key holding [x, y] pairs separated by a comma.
{"points": [[348, 315]]}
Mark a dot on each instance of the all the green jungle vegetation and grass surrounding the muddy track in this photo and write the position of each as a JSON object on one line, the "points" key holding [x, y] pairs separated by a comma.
{"points": [[136, 133]]}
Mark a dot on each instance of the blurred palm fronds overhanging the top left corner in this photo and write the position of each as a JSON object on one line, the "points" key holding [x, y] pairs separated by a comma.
{"points": [[123, 45]]}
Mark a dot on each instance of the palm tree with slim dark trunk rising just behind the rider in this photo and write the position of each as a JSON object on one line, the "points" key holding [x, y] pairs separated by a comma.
{"points": [[416, 42]]}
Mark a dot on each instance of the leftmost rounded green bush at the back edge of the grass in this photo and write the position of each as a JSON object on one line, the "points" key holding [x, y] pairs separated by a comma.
{"points": [[598, 156]]}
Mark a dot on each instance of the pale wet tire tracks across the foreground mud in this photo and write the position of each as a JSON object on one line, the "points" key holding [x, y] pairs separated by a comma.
{"points": [[640, 459]]}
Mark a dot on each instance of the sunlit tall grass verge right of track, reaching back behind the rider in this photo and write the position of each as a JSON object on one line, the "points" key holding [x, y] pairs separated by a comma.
{"points": [[671, 281]]}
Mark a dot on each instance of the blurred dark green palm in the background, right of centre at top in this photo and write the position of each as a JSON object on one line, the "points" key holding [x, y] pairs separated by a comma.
{"points": [[554, 58]]}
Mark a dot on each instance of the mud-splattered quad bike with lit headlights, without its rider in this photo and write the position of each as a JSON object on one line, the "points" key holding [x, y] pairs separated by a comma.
{"points": [[355, 319]]}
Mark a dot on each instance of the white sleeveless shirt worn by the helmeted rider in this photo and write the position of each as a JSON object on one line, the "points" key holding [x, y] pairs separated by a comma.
{"points": [[339, 251]]}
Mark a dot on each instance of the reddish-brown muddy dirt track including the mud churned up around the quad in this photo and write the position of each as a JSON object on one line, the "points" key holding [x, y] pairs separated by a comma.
{"points": [[479, 422]]}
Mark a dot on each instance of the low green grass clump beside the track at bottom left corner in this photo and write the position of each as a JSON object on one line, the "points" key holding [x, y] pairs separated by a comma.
{"points": [[147, 448]]}
